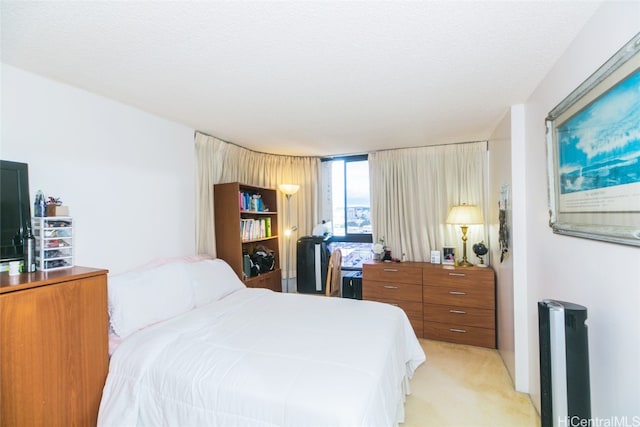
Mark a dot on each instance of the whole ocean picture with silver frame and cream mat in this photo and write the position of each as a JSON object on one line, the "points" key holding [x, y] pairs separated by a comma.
{"points": [[593, 153]]}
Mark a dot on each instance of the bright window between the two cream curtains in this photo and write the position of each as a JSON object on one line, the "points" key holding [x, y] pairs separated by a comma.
{"points": [[346, 187]]}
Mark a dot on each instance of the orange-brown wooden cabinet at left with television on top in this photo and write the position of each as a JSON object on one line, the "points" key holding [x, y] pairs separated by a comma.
{"points": [[53, 347]]}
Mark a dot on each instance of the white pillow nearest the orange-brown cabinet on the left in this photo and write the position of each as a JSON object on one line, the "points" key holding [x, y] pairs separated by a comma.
{"points": [[140, 298]]}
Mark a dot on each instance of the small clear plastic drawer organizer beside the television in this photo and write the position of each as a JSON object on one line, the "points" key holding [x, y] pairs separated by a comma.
{"points": [[54, 242]]}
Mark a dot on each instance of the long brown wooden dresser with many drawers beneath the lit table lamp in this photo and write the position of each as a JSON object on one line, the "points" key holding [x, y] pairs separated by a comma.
{"points": [[442, 302]]}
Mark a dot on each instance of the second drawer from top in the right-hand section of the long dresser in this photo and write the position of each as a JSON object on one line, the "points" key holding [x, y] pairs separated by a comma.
{"points": [[462, 295]]}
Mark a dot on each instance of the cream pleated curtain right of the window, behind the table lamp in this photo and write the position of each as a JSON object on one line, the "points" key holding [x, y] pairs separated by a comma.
{"points": [[411, 193]]}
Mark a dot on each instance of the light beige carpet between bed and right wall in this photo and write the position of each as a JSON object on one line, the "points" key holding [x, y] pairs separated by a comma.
{"points": [[461, 385]]}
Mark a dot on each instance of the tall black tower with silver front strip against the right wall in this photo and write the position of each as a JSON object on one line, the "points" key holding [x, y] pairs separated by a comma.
{"points": [[565, 397]]}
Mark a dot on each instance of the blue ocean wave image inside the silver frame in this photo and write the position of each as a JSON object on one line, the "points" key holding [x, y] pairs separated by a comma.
{"points": [[599, 147]]}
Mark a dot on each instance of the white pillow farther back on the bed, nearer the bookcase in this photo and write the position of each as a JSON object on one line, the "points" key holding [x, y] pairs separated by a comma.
{"points": [[212, 279]]}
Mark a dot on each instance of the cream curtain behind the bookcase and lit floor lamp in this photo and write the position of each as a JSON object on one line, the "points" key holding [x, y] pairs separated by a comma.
{"points": [[218, 161]]}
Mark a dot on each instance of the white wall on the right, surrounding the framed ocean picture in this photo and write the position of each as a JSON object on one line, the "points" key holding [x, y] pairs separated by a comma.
{"points": [[602, 276]]}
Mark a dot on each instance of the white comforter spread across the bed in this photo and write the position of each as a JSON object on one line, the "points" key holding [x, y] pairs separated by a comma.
{"points": [[260, 358]]}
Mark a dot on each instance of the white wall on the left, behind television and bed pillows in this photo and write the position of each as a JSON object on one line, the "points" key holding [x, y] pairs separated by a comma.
{"points": [[127, 176]]}
